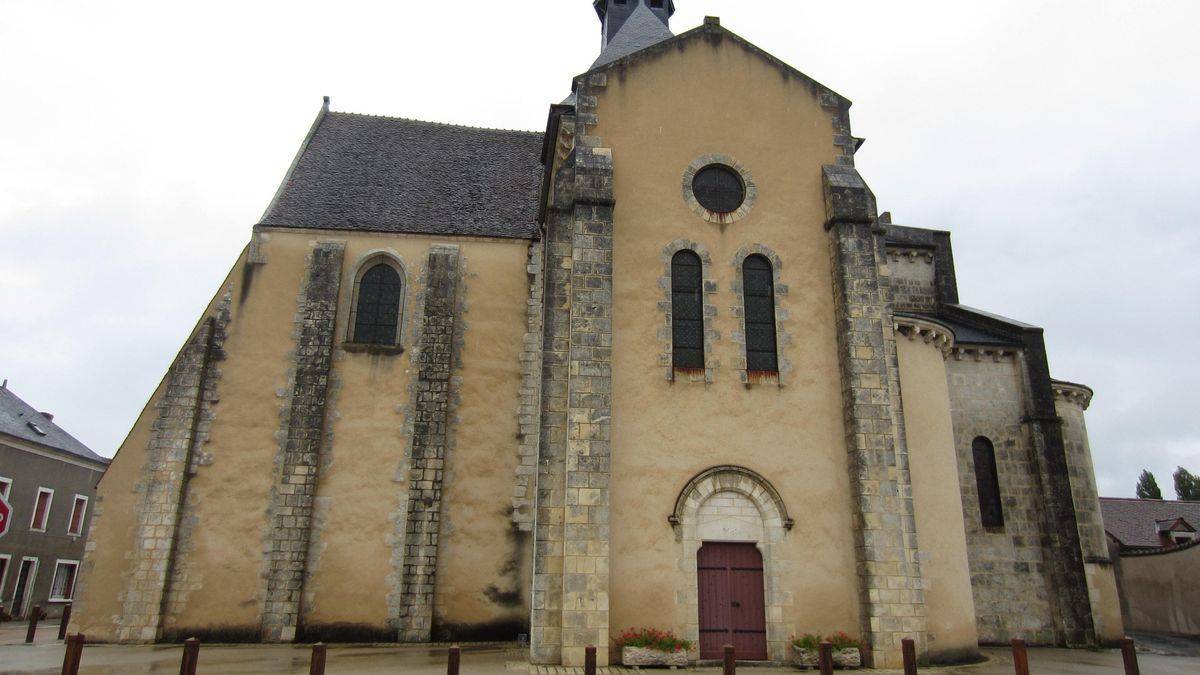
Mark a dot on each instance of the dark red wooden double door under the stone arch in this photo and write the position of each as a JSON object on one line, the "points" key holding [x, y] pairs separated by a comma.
{"points": [[733, 610]]}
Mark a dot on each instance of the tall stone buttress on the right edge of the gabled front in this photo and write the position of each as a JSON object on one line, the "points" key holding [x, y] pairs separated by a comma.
{"points": [[891, 587]]}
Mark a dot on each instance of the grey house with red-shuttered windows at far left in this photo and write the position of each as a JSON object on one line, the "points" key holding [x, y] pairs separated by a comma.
{"points": [[50, 480]]}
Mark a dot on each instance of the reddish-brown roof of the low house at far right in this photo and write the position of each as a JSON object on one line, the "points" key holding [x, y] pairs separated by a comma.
{"points": [[1150, 524]]}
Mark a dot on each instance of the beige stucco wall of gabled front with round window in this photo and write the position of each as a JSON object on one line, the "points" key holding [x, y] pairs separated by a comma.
{"points": [[673, 431]]}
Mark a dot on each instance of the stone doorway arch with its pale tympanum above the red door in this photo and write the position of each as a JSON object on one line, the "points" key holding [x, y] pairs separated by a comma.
{"points": [[733, 504]]}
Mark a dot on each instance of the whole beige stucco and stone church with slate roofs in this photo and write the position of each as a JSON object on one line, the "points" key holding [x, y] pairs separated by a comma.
{"points": [[663, 365]]}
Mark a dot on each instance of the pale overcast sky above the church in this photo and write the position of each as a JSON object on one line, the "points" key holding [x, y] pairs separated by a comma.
{"points": [[140, 141]]}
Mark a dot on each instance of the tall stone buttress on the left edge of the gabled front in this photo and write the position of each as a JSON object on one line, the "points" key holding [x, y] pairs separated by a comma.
{"points": [[573, 534]]}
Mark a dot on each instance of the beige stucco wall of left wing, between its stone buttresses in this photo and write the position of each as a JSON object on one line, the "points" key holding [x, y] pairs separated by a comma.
{"points": [[217, 587]]}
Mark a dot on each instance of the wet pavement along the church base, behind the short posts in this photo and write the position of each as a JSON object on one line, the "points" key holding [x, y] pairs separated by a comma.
{"points": [[1159, 656]]}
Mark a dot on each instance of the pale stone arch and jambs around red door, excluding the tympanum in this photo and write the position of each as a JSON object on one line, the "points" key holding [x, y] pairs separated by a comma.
{"points": [[776, 524]]}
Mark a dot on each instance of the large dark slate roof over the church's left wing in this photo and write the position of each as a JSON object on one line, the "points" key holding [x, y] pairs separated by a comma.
{"points": [[391, 175]]}
